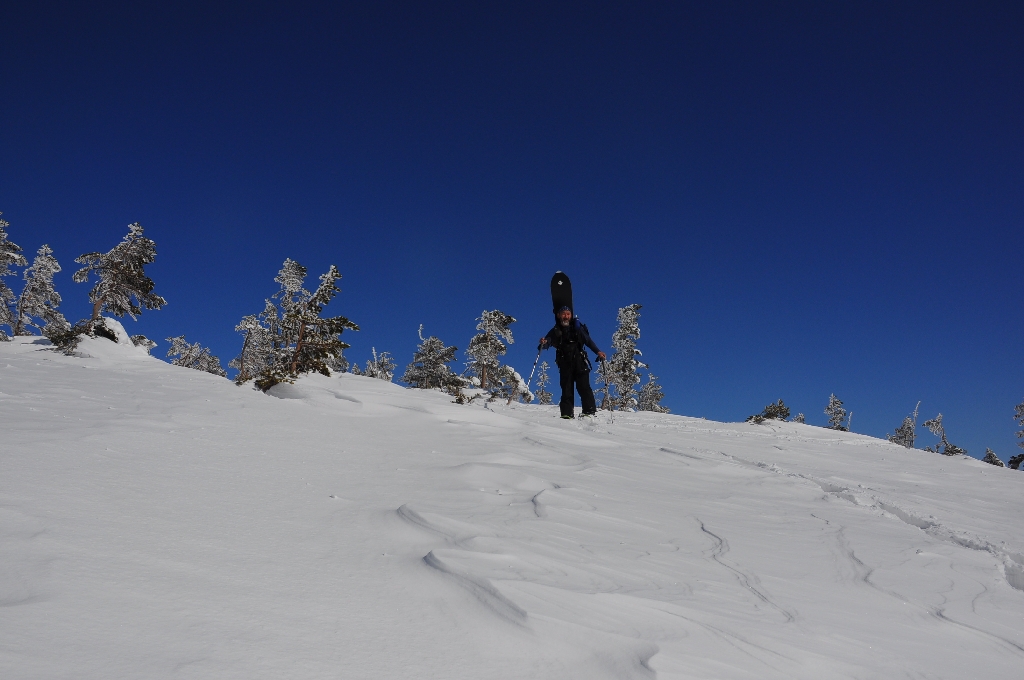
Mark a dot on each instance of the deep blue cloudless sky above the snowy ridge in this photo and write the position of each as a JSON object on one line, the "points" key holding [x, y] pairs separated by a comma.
{"points": [[807, 198]]}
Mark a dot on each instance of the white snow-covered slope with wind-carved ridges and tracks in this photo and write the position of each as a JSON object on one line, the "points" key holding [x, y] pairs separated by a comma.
{"points": [[157, 522]]}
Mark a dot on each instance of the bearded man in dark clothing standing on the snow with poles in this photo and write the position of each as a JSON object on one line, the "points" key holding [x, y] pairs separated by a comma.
{"points": [[570, 337]]}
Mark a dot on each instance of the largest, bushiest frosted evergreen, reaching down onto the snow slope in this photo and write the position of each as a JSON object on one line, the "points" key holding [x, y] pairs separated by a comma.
{"points": [[290, 338]]}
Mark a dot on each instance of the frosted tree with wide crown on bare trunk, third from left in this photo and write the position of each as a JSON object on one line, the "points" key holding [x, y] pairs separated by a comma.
{"points": [[123, 287]]}
